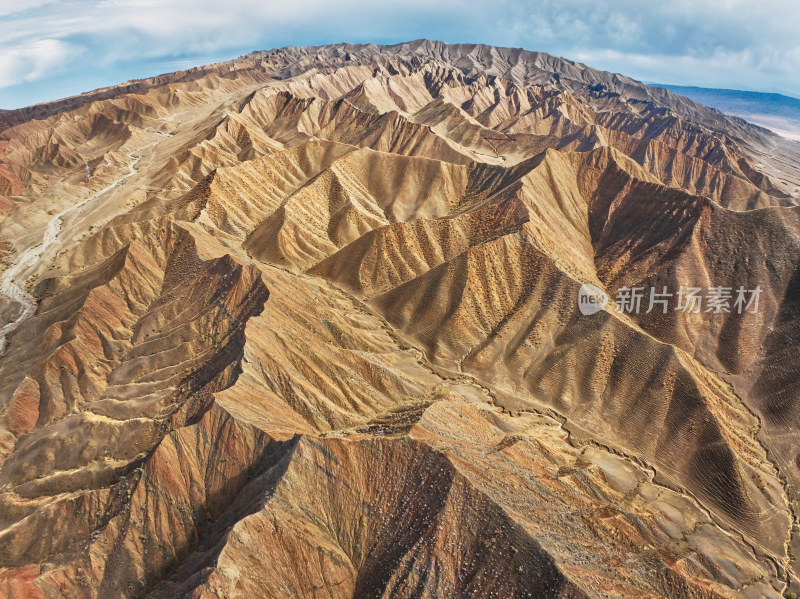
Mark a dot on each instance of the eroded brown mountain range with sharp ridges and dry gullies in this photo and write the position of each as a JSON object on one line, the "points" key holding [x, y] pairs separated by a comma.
{"points": [[310, 328]]}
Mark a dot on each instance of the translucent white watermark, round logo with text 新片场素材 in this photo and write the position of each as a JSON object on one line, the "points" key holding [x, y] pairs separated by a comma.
{"points": [[689, 300]]}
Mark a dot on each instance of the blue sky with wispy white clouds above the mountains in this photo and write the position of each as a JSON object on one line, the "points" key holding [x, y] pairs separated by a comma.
{"points": [[51, 49]]}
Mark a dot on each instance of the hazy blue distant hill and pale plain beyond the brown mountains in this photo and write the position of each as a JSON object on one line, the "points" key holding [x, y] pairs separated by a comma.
{"points": [[774, 111]]}
